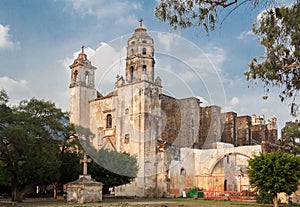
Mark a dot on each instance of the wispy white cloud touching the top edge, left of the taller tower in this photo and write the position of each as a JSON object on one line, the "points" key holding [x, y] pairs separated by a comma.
{"points": [[107, 12]]}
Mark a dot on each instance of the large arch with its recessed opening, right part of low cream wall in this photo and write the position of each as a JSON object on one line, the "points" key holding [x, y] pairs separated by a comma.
{"points": [[224, 168]]}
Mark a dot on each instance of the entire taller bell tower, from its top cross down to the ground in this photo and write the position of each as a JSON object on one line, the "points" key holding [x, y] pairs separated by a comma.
{"points": [[138, 107]]}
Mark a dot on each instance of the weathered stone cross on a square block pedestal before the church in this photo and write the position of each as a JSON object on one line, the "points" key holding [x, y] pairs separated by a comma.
{"points": [[84, 189]]}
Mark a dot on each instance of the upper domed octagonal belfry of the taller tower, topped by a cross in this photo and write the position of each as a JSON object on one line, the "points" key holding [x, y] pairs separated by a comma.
{"points": [[140, 56]]}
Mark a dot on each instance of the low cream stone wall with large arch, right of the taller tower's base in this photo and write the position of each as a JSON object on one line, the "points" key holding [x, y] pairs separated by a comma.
{"points": [[199, 165]]}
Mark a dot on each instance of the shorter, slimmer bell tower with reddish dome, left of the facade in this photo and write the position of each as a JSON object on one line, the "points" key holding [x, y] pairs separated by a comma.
{"points": [[82, 89]]}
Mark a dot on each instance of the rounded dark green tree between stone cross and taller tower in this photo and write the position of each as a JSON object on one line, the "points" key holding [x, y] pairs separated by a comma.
{"points": [[114, 168]]}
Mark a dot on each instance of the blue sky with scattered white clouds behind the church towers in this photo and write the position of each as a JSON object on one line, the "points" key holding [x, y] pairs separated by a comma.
{"points": [[40, 39]]}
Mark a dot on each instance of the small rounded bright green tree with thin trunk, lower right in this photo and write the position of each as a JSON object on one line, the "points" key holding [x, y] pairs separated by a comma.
{"points": [[274, 173]]}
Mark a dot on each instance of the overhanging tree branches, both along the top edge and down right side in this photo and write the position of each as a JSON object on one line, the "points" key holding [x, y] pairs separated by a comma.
{"points": [[277, 29]]}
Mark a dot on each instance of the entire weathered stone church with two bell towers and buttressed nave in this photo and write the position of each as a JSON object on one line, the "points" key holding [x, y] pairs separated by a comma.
{"points": [[179, 144]]}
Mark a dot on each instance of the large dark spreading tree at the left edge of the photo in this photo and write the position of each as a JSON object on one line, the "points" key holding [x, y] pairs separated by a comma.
{"points": [[30, 137]]}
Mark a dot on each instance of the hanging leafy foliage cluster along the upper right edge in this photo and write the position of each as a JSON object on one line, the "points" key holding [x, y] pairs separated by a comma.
{"points": [[279, 32]]}
